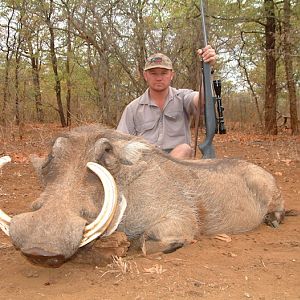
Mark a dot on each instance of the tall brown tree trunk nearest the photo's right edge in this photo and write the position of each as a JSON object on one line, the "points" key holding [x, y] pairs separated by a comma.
{"points": [[288, 64]]}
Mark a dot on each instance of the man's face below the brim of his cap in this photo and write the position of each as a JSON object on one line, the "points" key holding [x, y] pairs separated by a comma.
{"points": [[158, 79]]}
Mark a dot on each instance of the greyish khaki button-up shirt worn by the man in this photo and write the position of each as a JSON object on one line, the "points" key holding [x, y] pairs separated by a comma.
{"points": [[165, 128]]}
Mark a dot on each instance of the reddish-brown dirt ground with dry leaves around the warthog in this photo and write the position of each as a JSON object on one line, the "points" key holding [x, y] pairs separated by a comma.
{"points": [[262, 264]]}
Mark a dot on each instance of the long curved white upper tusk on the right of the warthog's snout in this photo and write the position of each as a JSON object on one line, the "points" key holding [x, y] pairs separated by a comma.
{"points": [[100, 224]]}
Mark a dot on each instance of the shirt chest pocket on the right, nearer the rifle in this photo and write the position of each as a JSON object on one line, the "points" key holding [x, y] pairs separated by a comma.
{"points": [[175, 123]]}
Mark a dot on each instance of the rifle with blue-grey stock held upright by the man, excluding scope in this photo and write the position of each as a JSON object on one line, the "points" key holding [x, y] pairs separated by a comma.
{"points": [[206, 147]]}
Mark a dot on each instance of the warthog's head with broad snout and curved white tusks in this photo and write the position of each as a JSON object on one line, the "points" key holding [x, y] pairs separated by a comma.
{"points": [[70, 212]]}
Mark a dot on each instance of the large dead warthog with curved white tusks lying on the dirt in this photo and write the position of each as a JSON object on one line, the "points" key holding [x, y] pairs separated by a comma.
{"points": [[169, 202]]}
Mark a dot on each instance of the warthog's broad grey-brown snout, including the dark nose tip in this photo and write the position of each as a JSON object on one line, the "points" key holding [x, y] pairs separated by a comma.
{"points": [[44, 237]]}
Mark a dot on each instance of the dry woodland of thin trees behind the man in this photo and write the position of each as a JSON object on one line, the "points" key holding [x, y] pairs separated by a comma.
{"points": [[82, 61]]}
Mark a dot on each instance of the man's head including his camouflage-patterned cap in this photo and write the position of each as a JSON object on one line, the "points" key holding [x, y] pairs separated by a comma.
{"points": [[158, 72]]}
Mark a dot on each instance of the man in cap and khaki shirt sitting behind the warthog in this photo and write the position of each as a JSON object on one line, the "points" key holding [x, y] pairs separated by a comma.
{"points": [[162, 114]]}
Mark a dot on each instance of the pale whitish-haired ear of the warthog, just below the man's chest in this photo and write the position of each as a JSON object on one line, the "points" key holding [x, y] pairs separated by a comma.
{"points": [[133, 151]]}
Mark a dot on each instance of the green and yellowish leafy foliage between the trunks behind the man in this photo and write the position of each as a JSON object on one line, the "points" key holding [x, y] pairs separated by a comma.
{"points": [[110, 40]]}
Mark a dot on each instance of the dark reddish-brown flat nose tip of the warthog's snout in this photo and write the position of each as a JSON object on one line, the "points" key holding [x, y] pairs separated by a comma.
{"points": [[42, 257]]}
